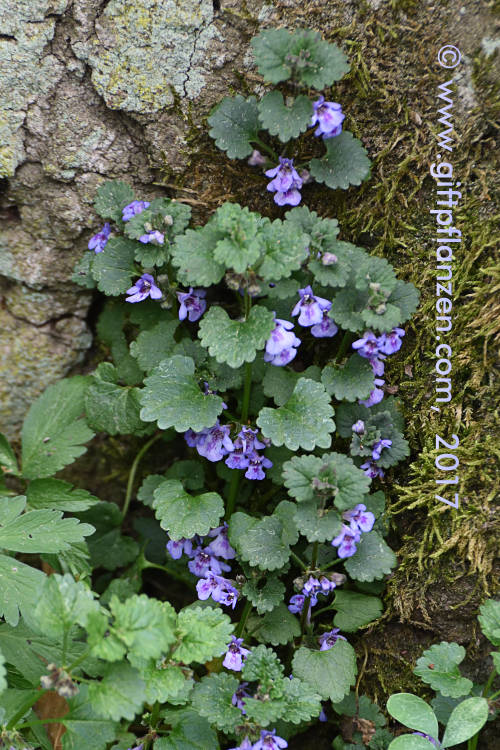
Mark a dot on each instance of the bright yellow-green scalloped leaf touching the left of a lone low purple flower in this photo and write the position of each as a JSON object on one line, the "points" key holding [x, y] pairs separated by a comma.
{"points": [[204, 633]]}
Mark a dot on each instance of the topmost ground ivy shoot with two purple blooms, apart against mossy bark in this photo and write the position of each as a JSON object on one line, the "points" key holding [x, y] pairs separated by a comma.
{"points": [[276, 129]]}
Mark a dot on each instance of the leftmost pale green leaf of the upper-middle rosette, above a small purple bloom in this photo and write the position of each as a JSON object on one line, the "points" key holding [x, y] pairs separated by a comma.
{"points": [[193, 254]]}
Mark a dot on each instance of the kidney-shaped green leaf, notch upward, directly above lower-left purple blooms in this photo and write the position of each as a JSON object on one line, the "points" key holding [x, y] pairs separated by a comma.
{"points": [[183, 515]]}
